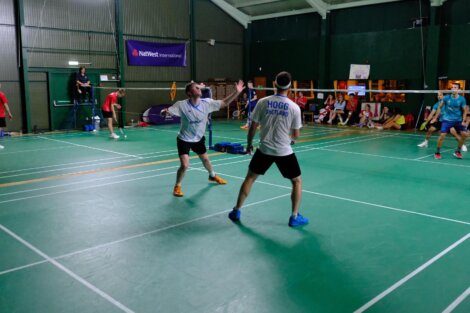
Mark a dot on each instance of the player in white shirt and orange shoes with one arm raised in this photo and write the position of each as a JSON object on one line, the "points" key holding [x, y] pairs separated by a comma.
{"points": [[194, 113]]}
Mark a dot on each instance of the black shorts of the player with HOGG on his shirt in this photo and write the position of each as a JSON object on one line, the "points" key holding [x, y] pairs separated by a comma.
{"points": [[287, 165]]}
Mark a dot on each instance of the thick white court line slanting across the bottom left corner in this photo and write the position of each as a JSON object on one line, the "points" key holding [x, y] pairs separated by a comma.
{"points": [[68, 272]]}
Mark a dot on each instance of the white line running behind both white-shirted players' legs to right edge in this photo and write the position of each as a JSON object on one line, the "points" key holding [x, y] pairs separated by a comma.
{"points": [[352, 200]]}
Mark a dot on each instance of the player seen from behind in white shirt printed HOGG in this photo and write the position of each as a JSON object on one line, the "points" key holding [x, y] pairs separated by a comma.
{"points": [[280, 121]]}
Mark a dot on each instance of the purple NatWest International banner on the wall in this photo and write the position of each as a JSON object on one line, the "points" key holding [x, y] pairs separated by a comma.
{"points": [[142, 53]]}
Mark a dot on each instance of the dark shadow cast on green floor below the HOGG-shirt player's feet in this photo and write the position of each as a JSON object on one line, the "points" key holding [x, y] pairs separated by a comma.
{"points": [[305, 277]]}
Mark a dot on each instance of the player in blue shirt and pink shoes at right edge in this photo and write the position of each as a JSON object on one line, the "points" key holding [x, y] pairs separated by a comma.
{"points": [[453, 108]]}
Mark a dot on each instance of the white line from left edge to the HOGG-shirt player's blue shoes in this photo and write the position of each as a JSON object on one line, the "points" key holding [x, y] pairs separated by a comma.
{"points": [[107, 244]]}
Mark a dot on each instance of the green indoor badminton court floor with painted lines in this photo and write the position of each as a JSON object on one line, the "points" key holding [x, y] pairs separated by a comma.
{"points": [[89, 224]]}
